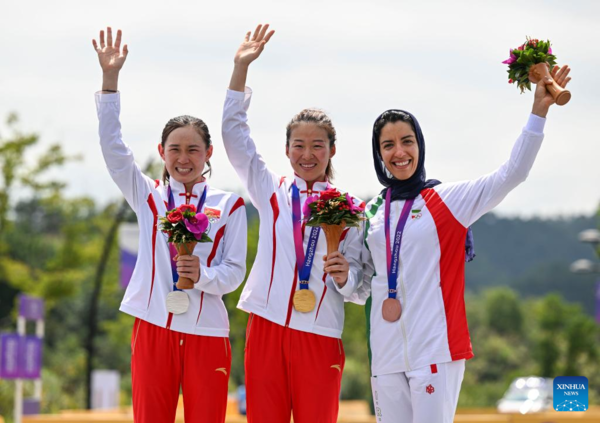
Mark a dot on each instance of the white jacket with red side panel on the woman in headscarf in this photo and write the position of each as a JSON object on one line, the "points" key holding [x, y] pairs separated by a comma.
{"points": [[433, 327]]}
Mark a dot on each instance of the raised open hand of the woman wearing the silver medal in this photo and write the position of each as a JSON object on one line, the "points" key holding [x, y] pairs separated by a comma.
{"points": [[111, 58]]}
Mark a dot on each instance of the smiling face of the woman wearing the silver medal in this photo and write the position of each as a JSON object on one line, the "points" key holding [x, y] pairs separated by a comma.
{"points": [[185, 155]]}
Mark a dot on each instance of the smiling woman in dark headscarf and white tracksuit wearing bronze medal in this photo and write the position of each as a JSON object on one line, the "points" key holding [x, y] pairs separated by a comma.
{"points": [[414, 258]]}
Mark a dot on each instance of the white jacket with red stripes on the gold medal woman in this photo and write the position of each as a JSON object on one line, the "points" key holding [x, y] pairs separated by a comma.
{"points": [[273, 279]]}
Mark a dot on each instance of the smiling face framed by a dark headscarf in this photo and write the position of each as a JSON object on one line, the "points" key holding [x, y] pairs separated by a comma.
{"points": [[399, 149]]}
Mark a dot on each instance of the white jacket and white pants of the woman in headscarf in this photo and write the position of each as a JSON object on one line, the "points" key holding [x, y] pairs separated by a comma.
{"points": [[418, 361]]}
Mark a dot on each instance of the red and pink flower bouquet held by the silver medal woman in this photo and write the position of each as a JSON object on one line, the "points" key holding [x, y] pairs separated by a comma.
{"points": [[185, 228]]}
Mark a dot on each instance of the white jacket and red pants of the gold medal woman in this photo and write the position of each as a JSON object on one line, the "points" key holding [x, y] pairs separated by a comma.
{"points": [[293, 360]]}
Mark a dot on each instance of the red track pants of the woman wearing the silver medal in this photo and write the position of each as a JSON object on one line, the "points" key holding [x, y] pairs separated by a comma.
{"points": [[162, 361]]}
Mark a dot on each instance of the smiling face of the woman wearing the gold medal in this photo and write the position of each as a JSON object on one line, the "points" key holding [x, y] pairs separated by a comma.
{"points": [[309, 151]]}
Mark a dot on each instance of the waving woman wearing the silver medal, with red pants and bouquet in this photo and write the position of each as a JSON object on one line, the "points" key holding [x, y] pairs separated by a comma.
{"points": [[180, 335]]}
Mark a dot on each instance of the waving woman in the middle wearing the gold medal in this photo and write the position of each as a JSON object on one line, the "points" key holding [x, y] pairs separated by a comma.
{"points": [[295, 292]]}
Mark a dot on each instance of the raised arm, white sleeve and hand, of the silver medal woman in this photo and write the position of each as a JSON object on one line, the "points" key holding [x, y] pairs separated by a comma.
{"points": [[117, 155]]}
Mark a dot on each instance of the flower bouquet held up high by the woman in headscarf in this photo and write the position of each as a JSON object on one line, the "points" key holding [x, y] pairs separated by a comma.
{"points": [[531, 62]]}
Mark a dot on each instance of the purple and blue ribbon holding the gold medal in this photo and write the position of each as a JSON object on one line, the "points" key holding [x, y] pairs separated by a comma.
{"points": [[303, 261]]}
